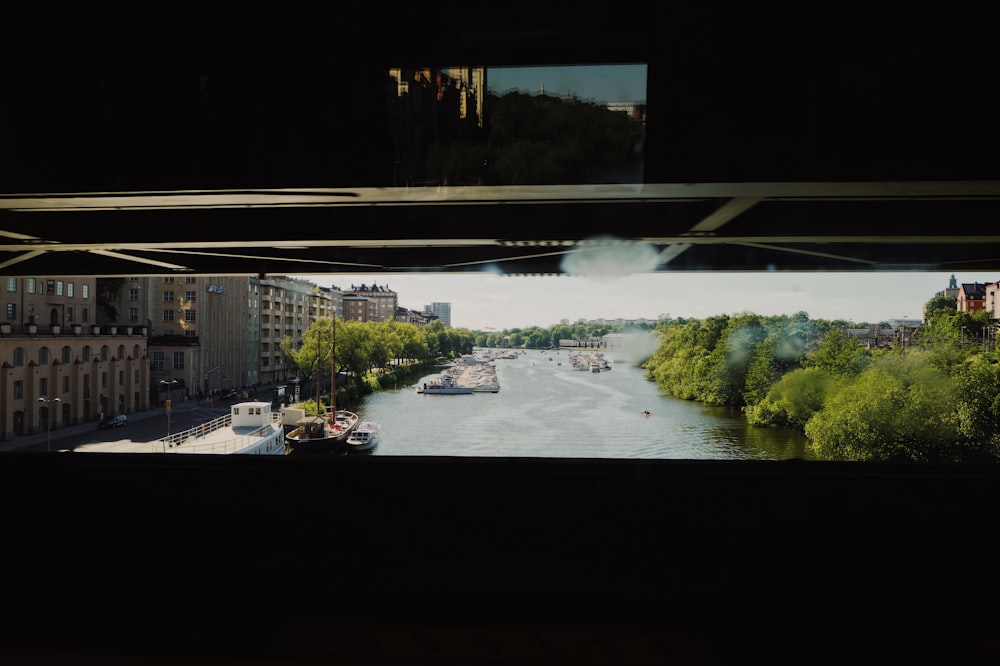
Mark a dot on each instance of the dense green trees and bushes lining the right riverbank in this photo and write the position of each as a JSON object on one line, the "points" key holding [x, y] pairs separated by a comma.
{"points": [[933, 398]]}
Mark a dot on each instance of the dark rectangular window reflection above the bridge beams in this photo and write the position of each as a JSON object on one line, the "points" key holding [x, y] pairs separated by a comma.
{"points": [[507, 126]]}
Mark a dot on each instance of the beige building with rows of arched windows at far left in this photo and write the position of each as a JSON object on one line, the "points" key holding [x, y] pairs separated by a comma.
{"points": [[61, 366]]}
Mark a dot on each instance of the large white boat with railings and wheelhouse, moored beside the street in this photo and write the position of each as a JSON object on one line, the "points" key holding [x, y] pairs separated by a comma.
{"points": [[250, 428]]}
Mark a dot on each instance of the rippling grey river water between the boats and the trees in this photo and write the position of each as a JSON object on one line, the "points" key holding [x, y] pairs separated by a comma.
{"points": [[547, 409]]}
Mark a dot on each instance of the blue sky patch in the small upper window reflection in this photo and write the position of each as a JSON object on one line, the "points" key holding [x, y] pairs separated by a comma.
{"points": [[599, 83]]}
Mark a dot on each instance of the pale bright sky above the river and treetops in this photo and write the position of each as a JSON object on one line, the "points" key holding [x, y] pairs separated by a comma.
{"points": [[486, 302]]}
